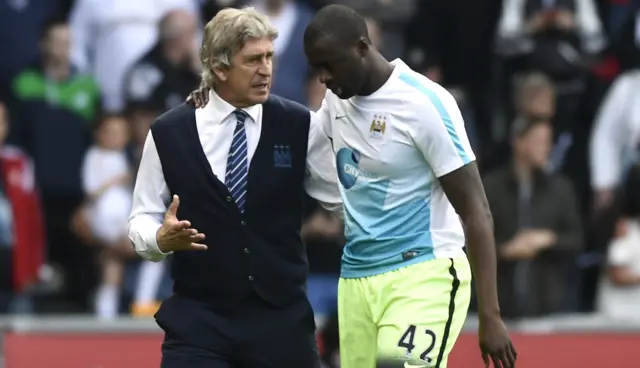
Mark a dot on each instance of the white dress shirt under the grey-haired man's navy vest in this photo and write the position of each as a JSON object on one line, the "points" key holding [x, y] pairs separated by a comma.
{"points": [[216, 123]]}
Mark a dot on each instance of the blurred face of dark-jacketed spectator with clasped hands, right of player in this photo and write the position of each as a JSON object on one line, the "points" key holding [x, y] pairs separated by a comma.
{"points": [[535, 145]]}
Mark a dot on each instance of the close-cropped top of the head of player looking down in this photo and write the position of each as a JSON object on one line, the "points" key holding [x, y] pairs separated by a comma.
{"points": [[336, 24]]}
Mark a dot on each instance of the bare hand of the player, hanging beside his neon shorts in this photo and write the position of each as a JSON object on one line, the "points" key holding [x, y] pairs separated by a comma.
{"points": [[495, 343]]}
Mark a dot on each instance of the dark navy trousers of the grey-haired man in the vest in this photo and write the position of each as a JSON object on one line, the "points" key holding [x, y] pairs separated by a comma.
{"points": [[254, 334]]}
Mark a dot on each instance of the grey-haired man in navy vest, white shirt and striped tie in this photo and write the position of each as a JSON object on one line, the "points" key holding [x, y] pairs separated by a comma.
{"points": [[234, 173]]}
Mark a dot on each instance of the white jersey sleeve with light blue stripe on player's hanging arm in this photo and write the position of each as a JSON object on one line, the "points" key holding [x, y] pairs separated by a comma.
{"points": [[440, 135]]}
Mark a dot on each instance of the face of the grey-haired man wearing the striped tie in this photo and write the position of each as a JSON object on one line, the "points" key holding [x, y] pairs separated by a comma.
{"points": [[249, 77]]}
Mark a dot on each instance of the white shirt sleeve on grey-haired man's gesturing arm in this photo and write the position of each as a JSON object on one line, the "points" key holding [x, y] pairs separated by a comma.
{"points": [[150, 198]]}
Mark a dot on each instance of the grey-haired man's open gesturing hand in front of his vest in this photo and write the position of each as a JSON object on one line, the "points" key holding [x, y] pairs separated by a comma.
{"points": [[176, 235]]}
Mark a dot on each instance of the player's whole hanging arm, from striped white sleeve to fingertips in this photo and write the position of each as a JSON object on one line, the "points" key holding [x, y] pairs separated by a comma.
{"points": [[442, 138]]}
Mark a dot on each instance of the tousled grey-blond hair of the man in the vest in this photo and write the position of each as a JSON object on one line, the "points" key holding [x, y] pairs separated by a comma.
{"points": [[226, 34]]}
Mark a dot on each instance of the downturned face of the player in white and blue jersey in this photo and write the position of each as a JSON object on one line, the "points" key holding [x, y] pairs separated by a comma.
{"points": [[341, 69]]}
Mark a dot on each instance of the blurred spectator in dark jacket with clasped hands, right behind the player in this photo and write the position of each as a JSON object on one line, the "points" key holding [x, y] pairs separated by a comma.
{"points": [[537, 226]]}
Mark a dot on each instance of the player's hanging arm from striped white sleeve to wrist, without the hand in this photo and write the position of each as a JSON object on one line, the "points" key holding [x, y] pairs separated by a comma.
{"points": [[446, 148]]}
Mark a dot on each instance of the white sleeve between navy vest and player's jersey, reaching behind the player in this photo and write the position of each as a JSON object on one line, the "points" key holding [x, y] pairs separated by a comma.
{"points": [[321, 181]]}
